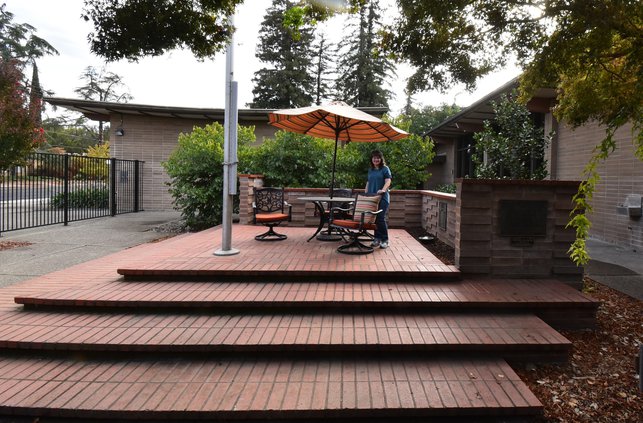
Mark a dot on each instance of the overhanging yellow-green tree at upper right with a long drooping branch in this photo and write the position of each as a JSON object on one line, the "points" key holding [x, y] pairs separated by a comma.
{"points": [[590, 50]]}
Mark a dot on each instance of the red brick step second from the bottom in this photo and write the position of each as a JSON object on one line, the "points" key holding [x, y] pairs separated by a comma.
{"points": [[310, 332]]}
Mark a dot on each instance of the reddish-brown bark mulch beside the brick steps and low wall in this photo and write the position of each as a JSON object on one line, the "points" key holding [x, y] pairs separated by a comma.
{"points": [[600, 382]]}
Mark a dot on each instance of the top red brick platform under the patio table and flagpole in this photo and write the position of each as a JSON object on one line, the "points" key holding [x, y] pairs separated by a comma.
{"points": [[295, 257]]}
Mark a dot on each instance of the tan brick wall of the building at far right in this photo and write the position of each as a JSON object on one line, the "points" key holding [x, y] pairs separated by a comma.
{"points": [[621, 174]]}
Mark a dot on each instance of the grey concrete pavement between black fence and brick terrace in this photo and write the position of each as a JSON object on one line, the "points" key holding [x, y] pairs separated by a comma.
{"points": [[57, 247]]}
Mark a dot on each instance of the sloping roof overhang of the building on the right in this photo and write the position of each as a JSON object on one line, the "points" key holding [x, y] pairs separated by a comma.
{"points": [[473, 117]]}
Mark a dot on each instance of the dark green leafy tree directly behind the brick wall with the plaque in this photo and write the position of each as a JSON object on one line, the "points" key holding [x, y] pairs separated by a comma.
{"points": [[510, 146]]}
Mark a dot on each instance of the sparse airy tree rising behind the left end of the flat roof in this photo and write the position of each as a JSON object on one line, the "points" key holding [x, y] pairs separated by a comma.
{"points": [[102, 85]]}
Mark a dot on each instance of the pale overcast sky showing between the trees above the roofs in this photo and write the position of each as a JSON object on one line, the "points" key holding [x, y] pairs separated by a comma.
{"points": [[176, 78]]}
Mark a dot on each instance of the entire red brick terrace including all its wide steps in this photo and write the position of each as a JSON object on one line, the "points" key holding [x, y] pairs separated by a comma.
{"points": [[281, 331]]}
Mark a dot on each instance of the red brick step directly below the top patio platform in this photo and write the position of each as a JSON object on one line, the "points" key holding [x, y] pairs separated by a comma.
{"points": [[498, 293]]}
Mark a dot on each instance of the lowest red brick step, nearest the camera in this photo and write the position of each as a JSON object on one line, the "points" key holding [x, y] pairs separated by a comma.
{"points": [[263, 388]]}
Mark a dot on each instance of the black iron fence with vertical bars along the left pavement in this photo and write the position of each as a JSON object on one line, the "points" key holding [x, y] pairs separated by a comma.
{"points": [[54, 188]]}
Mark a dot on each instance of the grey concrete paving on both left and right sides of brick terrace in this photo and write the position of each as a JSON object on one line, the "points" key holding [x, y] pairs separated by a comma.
{"points": [[57, 247]]}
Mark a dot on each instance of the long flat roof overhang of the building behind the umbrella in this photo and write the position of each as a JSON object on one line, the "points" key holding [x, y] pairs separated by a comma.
{"points": [[102, 110]]}
